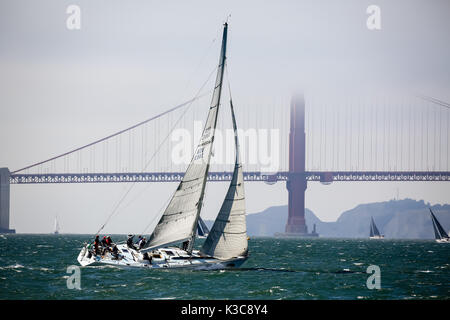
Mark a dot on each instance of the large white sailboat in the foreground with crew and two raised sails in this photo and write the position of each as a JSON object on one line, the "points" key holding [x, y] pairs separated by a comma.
{"points": [[226, 245]]}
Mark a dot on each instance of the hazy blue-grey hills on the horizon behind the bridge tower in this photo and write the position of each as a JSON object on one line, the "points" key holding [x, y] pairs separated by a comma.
{"points": [[401, 219]]}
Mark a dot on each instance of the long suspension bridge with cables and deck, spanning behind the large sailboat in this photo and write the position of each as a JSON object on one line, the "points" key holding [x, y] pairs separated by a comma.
{"points": [[317, 140]]}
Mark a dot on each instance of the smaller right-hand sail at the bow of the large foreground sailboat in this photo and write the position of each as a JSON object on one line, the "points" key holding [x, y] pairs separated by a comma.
{"points": [[228, 235]]}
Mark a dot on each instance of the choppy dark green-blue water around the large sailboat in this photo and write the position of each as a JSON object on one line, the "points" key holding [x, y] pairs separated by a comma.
{"points": [[35, 267]]}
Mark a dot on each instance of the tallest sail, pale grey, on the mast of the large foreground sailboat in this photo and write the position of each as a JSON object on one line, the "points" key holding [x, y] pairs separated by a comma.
{"points": [[179, 220]]}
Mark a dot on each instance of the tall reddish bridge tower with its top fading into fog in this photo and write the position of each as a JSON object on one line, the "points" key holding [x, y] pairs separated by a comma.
{"points": [[297, 184]]}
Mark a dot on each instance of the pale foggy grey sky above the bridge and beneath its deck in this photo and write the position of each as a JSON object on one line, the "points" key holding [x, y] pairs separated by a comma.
{"points": [[61, 88]]}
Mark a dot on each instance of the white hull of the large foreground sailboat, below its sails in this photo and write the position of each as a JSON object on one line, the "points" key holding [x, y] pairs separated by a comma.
{"points": [[160, 259]]}
